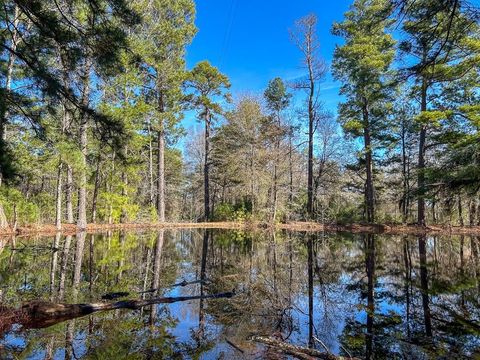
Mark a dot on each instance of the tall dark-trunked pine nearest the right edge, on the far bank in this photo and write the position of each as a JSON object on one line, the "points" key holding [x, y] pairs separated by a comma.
{"points": [[438, 40]]}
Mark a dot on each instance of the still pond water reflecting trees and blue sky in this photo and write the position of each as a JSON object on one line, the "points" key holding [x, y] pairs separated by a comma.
{"points": [[369, 296]]}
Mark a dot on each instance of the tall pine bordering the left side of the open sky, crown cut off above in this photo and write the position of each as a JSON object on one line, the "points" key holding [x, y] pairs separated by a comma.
{"points": [[168, 27]]}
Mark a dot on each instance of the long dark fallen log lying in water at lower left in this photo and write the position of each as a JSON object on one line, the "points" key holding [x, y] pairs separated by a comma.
{"points": [[41, 314]]}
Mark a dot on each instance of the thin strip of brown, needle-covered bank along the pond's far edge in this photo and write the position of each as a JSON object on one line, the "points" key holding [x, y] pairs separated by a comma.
{"points": [[389, 229]]}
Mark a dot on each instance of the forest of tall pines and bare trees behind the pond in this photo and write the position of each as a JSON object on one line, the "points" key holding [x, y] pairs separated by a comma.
{"points": [[94, 94]]}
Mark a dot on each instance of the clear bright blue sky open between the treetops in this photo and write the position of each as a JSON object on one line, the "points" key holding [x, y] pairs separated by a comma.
{"points": [[248, 40]]}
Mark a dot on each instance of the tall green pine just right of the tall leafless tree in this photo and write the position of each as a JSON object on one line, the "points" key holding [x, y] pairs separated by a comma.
{"points": [[363, 65]]}
